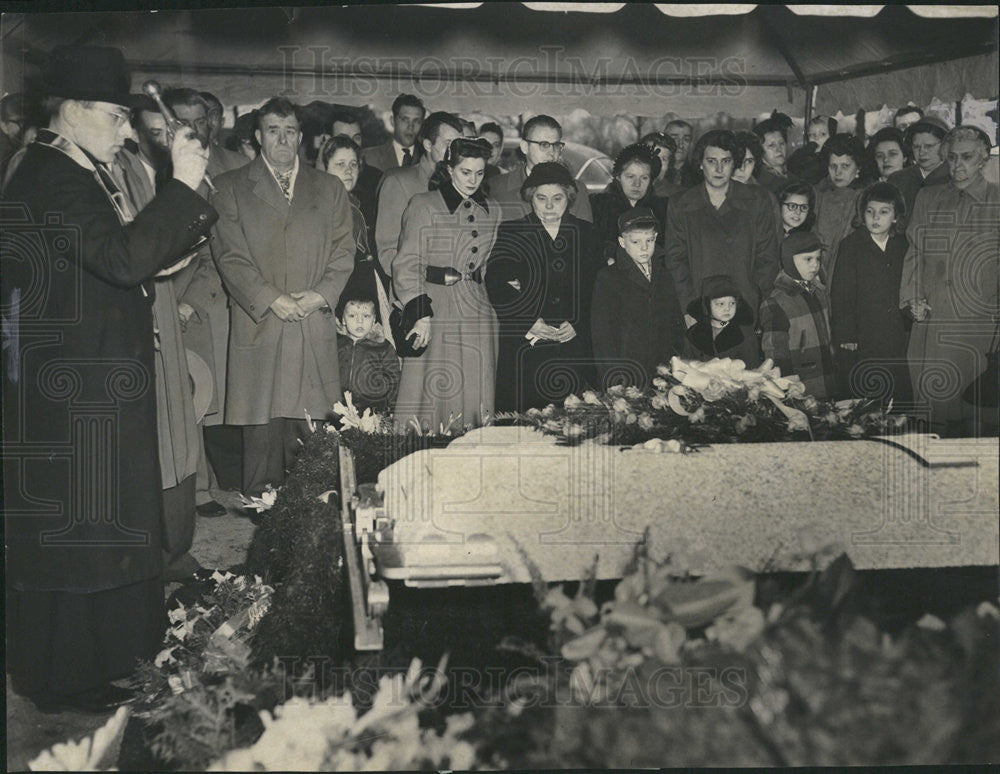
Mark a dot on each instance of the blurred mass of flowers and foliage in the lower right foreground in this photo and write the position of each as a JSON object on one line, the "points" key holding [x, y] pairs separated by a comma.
{"points": [[709, 672]]}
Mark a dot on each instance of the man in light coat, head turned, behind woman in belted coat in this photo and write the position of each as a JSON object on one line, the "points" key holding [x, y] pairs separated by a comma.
{"points": [[401, 185]]}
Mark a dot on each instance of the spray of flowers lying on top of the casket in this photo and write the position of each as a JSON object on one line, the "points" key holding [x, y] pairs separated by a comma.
{"points": [[718, 401]]}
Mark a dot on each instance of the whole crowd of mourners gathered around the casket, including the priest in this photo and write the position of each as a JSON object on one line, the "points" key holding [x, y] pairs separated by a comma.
{"points": [[302, 263]]}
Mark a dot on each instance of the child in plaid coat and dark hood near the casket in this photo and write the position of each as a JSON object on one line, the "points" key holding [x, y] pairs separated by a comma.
{"points": [[795, 317]]}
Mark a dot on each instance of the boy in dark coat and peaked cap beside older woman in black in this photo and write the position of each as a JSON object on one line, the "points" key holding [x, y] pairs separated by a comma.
{"points": [[636, 320]]}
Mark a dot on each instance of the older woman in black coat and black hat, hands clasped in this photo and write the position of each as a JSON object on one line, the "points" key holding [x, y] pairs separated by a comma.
{"points": [[539, 277]]}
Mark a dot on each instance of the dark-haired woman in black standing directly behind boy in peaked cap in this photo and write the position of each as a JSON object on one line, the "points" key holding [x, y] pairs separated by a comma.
{"points": [[635, 169]]}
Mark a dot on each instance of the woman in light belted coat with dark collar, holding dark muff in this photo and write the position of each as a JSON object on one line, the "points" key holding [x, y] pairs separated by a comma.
{"points": [[447, 322]]}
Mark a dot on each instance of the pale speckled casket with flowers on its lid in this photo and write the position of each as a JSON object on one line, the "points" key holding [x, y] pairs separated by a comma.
{"points": [[502, 503]]}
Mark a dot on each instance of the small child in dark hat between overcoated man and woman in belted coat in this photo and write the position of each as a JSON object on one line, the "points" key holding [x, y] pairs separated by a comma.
{"points": [[369, 367]]}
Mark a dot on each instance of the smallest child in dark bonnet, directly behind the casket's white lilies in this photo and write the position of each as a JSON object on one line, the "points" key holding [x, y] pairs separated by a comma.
{"points": [[724, 326]]}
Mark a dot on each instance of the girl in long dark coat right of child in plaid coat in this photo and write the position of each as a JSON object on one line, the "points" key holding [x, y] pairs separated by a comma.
{"points": [[867, 326]]}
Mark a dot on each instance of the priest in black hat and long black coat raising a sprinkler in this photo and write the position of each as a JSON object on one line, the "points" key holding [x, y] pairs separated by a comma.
{"points": [[83, 511]]}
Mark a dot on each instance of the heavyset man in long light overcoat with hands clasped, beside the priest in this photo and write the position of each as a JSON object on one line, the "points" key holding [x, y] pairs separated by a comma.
{"points": [[285, 249]]}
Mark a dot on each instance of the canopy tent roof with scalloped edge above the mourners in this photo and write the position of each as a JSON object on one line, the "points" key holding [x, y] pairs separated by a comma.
{"points": [[506, 57]]}
